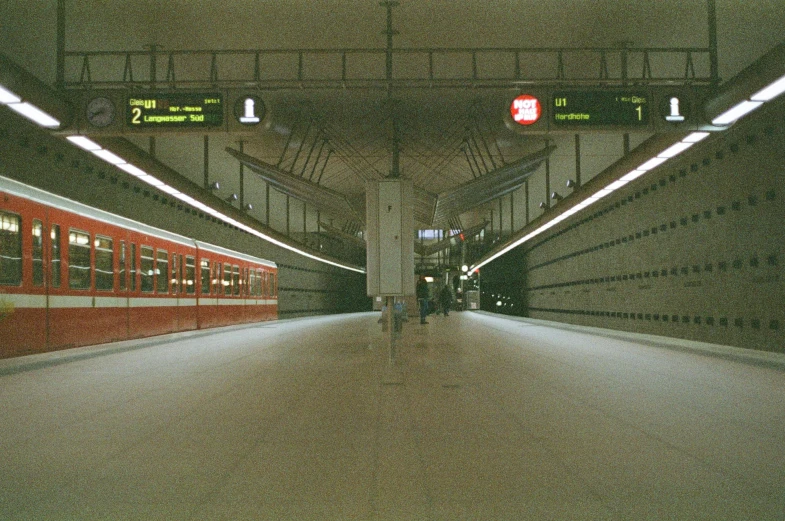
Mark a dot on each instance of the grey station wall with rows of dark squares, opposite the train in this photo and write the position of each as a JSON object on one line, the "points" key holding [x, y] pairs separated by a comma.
{"points": [[694, 249]]}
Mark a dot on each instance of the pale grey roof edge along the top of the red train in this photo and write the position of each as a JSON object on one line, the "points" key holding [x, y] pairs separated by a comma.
{"points": [[41, 196]]}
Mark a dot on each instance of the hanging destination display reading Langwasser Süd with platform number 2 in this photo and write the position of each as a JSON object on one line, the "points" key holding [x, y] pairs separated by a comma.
{"points": [[175, 109]]}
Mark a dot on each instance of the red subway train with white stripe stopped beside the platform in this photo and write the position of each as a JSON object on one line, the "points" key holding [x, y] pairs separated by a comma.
{"points": [[71, 275]]}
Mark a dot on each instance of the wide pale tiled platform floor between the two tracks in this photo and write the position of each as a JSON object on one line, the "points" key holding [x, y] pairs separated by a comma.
{"points": [[475, 417]]}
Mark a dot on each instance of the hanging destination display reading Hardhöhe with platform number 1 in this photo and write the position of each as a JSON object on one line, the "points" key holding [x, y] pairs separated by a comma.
{"points": [[600, 108]]}
